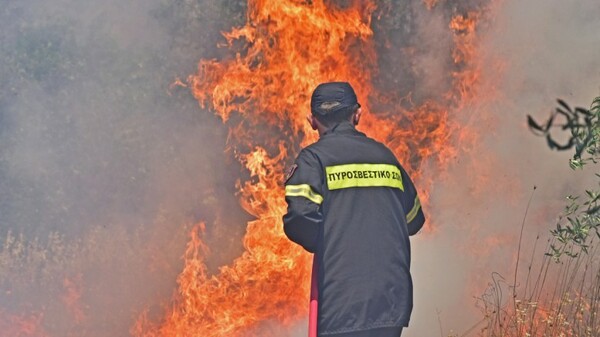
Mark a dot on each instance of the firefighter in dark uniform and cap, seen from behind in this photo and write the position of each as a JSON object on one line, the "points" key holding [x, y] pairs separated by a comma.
{"points": [[352, 204]]}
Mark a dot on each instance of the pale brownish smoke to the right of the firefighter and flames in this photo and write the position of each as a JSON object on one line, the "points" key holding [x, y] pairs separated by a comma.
{"points": [[533, 52]]}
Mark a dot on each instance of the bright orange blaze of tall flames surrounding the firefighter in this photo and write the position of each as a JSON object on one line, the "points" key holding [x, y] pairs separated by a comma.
{"points": [[285, 49]]}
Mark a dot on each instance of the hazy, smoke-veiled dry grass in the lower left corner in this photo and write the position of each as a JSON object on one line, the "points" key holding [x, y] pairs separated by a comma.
{"points": [[92, 286]]}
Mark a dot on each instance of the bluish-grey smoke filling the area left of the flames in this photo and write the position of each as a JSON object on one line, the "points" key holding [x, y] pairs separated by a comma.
{"points": [[103, 165]]}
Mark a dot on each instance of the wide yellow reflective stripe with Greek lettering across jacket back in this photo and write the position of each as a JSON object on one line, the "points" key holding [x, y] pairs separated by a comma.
{"points": [[363, 175]]}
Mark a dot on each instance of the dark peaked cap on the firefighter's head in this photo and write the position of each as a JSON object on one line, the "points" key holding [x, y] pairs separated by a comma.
{"points": [[332, 92]]}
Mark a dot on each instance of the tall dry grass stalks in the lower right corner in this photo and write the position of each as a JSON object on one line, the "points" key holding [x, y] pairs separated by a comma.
{"points": [[559, 299]]}
